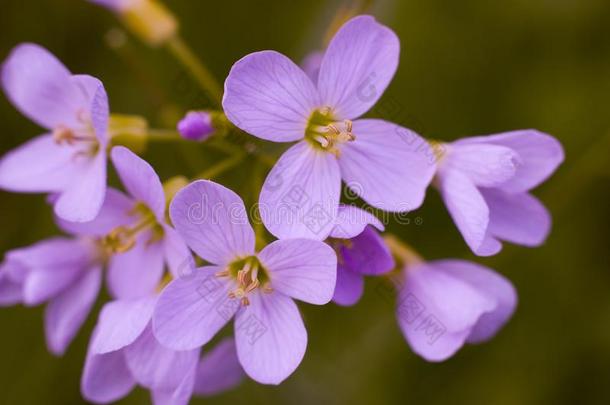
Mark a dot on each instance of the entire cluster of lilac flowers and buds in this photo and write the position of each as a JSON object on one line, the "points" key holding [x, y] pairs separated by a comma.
{"points": [[168, 304]]}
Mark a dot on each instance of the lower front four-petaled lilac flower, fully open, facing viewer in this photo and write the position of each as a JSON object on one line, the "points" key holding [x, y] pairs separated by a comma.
{"points": [[257, 288]]}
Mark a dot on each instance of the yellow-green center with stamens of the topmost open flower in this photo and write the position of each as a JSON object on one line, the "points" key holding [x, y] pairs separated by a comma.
{"points": [[326, 133]]}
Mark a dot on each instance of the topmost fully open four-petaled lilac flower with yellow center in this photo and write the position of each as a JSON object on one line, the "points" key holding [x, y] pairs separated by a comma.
{"points": [[270, 97]]}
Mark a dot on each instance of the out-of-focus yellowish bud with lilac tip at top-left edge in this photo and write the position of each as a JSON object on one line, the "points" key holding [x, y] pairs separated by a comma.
{"points": [[148, 19]]}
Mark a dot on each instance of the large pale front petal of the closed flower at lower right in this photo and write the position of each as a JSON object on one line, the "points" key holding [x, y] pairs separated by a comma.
{"points": [[446, 310]]}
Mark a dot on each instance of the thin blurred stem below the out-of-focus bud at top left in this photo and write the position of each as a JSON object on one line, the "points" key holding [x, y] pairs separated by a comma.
{"points": [[202, 75]]}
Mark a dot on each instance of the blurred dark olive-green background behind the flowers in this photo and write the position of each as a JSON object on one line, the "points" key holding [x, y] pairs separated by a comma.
{"points": [[468, 67]]}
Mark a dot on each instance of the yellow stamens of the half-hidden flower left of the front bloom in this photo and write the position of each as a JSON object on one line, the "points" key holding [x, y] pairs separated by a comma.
{"points": [[123, 238]]}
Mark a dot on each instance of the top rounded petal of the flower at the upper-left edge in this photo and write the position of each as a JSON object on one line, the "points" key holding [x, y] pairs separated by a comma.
{"points": [[40, 86]]}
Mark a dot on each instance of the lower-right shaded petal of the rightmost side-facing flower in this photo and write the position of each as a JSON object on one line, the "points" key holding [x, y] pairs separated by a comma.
{"points": [[518, 218]]}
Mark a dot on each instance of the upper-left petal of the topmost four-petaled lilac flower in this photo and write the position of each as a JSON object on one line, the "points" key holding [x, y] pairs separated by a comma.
{"points": [[270, 97]]}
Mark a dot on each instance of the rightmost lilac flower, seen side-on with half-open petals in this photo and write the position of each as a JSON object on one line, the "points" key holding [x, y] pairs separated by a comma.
{"points": [[485, 183]]}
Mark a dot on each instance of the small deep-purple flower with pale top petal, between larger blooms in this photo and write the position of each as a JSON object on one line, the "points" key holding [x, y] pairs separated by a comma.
{"points": [[360, 251]]}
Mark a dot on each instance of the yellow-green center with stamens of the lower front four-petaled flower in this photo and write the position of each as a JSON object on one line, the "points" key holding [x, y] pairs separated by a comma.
{"points": [[249, 275]]}
